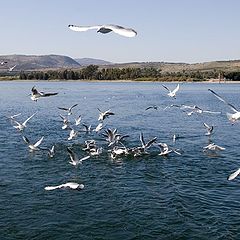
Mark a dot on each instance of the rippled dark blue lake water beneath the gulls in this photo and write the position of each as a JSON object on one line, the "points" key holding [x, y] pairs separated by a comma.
{"points": [[183, 196]]}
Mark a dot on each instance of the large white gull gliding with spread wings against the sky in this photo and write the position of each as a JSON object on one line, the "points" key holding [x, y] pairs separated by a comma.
{"points": [[126, 32]]}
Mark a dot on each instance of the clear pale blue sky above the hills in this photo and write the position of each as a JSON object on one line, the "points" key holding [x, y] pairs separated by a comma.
{"points": [[190, 31]]}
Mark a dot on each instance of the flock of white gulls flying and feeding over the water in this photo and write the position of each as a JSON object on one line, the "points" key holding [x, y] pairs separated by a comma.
{"points": [[115, 143]]}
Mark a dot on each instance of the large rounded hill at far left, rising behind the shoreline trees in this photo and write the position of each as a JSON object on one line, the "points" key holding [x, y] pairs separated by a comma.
{"points": [[34, 62]]}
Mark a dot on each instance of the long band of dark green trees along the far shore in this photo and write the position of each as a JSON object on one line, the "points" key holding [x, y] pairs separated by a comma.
{"points": [[93, 72]]}
